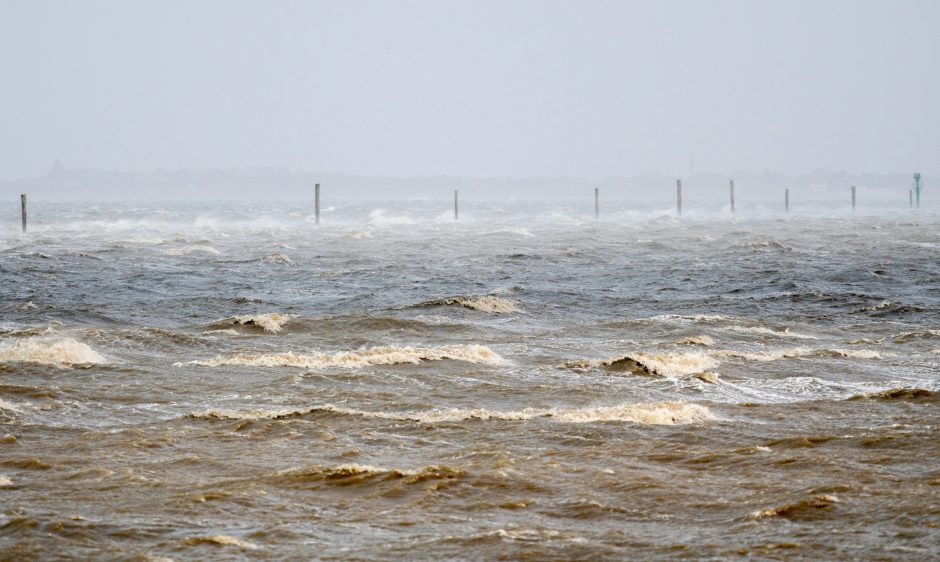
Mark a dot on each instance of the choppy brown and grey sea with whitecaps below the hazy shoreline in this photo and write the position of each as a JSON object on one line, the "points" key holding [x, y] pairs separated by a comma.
{"points": [[234, 382]]}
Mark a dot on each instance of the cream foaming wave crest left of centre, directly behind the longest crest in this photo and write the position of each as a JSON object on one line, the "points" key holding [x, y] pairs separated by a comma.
{"points": [[388, 355]]}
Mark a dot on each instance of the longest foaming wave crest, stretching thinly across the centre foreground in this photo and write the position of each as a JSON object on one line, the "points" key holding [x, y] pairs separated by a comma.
{"points": [[659, 413]]}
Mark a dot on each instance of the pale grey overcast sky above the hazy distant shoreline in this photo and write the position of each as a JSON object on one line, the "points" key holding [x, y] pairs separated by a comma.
{"points": [[476, 88]]}
